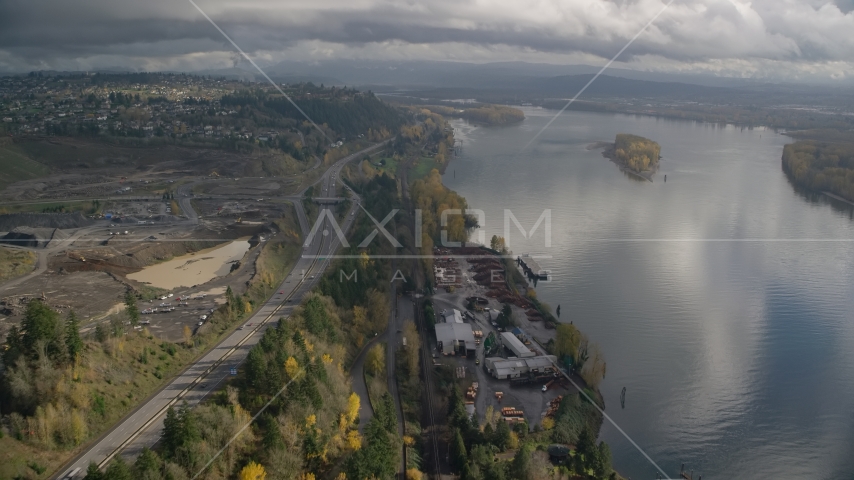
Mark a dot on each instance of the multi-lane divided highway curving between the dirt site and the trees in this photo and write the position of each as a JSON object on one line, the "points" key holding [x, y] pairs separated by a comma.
{"points": [[143, 426]]}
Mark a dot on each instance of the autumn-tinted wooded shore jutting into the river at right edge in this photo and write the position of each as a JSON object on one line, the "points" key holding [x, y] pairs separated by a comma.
{"points": [[821, 166]]}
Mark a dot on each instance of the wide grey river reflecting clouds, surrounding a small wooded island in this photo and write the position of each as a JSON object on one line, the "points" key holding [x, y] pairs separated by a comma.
{"points": [[723, 299]]}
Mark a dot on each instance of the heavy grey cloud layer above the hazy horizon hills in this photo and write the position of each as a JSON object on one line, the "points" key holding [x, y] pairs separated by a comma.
{"points": [[47, 32]]}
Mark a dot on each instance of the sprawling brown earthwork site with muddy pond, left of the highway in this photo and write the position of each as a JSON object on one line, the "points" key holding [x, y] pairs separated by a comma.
{"points": [[94, 225]]}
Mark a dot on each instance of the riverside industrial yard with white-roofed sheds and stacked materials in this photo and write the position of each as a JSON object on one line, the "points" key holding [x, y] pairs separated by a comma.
{"points": [[504, 369]]}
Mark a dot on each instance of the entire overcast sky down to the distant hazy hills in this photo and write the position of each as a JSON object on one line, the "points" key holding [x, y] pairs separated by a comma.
{"points": [[786, 40]]}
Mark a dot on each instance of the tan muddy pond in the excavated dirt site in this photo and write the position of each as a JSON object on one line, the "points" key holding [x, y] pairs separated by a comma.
{"points": [[194, 268]]}
